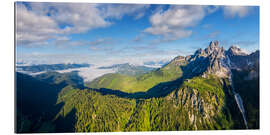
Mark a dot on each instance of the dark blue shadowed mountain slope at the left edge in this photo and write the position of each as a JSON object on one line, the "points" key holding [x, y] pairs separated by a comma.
{"points": [[36, 105]]}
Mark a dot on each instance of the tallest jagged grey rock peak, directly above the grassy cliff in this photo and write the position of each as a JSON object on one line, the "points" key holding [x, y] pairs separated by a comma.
{"points": [[211, 60]]}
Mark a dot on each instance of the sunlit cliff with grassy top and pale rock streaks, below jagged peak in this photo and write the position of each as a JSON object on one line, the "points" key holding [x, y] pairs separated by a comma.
{"points": [[203, 103]]}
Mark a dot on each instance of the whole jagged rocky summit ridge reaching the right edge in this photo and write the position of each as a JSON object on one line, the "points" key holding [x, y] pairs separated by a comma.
{"points": [[215, 60]]}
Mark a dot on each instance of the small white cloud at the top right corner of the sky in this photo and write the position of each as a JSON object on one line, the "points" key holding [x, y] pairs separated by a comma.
{"points": [[236, 11]]}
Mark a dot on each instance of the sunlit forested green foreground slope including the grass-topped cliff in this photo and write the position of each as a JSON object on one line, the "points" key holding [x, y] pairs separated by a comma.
{"points": [[186, 108]]}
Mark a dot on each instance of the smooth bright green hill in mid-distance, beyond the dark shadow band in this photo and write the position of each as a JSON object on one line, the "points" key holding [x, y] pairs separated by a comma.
{"points": [[142, 83]]}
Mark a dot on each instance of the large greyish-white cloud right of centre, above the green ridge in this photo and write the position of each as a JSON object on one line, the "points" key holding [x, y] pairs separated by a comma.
{"points": [[175, 22]]}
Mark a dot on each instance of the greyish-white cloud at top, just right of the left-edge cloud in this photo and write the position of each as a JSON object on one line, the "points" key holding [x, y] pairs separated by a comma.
{"points": [[80, 17]]}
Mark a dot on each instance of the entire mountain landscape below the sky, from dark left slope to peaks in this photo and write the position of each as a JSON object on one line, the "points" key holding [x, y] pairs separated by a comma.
{"points": [[212, 89]]}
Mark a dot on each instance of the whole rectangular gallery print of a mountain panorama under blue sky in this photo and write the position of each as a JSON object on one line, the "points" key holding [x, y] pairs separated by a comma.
{"points": [[101, 67]]}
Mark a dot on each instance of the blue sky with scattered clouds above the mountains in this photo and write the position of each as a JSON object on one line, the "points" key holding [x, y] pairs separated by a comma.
{"points": [[118, 33]]}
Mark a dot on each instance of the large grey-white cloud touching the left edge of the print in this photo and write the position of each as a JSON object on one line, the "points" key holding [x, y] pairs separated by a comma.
{"points": [[31, 28]]}
